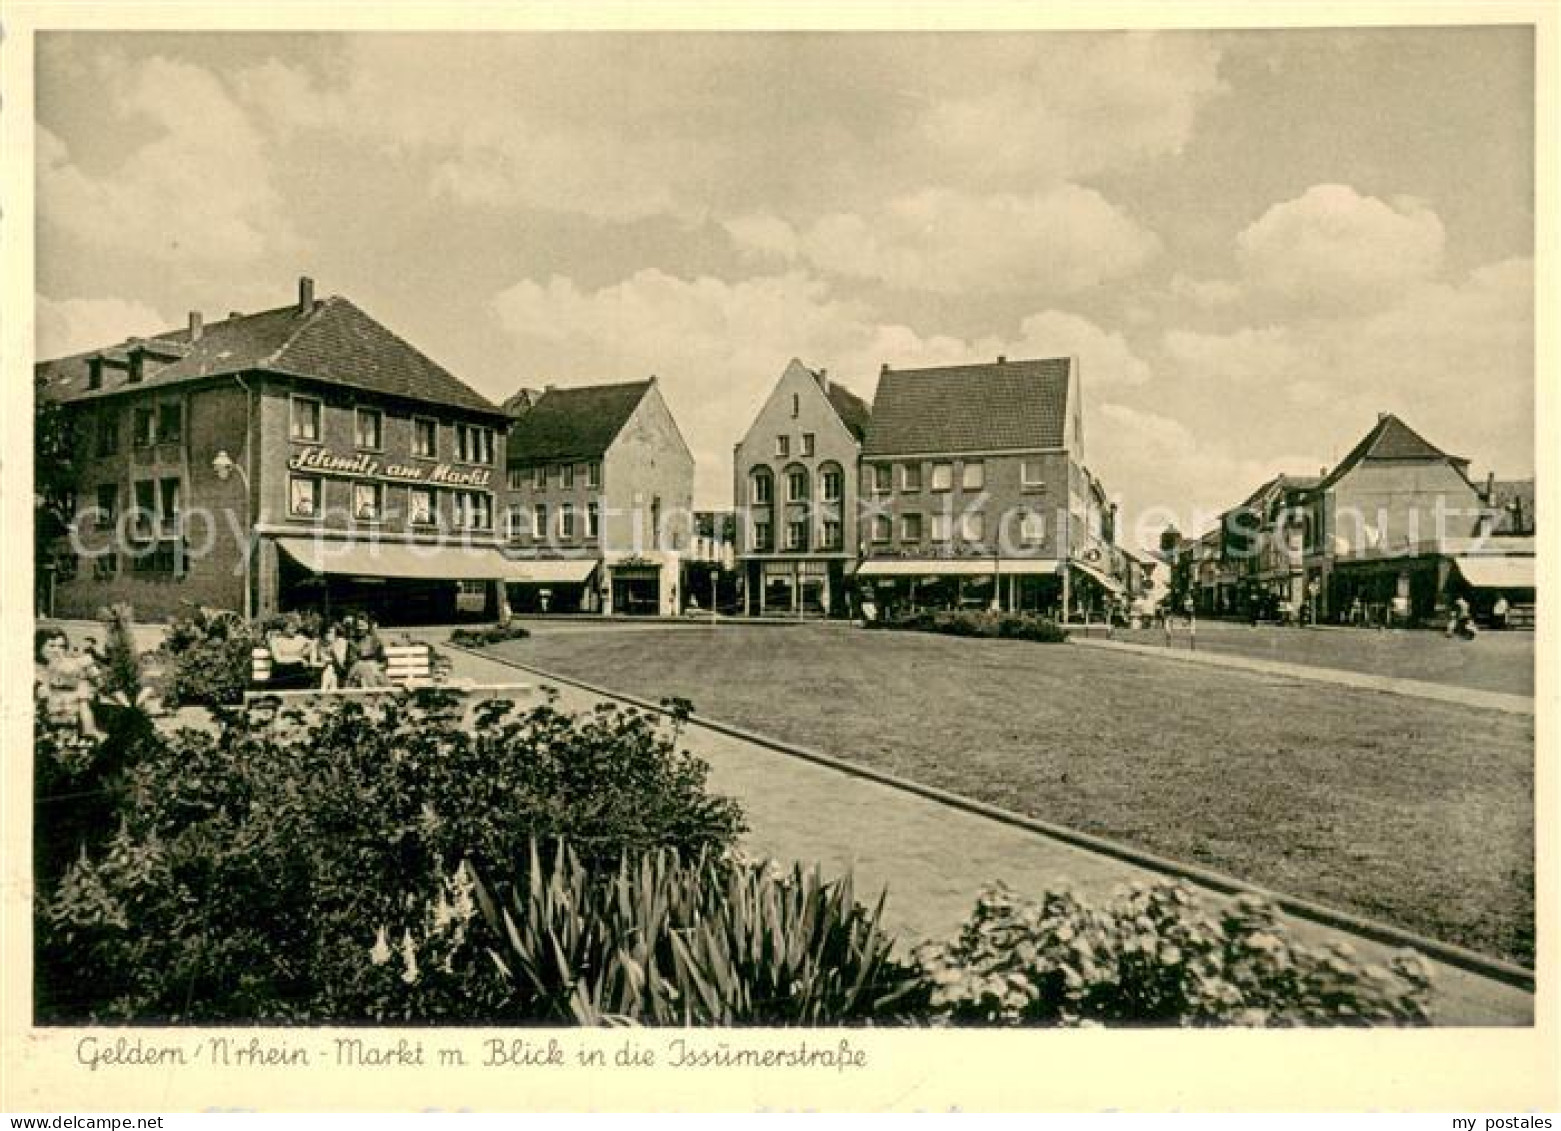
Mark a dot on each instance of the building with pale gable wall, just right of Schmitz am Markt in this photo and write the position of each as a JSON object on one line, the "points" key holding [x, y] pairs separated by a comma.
{"points": [[599, 502]]}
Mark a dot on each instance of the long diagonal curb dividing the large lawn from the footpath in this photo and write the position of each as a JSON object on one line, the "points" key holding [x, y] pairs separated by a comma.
{"points": [[1228, 885]]}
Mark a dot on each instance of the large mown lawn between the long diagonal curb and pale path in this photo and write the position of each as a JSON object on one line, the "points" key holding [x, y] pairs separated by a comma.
{"points": [[1406, 810]]}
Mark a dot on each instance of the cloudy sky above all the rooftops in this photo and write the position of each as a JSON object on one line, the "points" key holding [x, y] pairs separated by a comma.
{"points": [[1254, 241]]}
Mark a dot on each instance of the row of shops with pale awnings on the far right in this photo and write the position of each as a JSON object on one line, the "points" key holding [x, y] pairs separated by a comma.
{"points": [[1393, 536]]}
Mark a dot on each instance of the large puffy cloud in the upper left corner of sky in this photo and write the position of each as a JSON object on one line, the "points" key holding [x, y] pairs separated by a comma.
{"points": [[199, 193]]}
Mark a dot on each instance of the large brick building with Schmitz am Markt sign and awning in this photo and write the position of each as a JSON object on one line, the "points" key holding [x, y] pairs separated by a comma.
{"points": [[300, 458]]}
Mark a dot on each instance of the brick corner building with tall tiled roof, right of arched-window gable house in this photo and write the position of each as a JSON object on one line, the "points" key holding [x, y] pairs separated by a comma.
{"points": [[975, 492]]}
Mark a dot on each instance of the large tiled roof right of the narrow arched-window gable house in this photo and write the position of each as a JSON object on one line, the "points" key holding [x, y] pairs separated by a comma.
{"points": [[970, 408]]}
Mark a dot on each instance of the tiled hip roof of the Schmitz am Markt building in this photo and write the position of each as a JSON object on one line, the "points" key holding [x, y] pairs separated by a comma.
{"points": [[333, 341]]}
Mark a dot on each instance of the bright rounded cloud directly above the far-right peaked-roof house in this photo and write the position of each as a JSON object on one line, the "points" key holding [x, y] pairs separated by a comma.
{"points": [[1334, 249]]}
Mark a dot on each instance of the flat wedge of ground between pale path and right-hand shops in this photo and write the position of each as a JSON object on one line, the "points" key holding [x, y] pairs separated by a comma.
{"points": [[1493, 662]]}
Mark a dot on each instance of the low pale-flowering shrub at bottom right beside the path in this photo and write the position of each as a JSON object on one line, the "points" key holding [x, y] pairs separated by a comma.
{"points": [[1156, 959]]}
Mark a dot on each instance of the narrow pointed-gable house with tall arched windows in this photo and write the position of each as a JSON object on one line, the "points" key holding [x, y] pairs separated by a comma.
{"points": [[795, 492]]}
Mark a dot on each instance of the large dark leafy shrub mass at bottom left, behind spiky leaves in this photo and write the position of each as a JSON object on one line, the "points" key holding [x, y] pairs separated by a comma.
{"points": [[247, 873]]}
